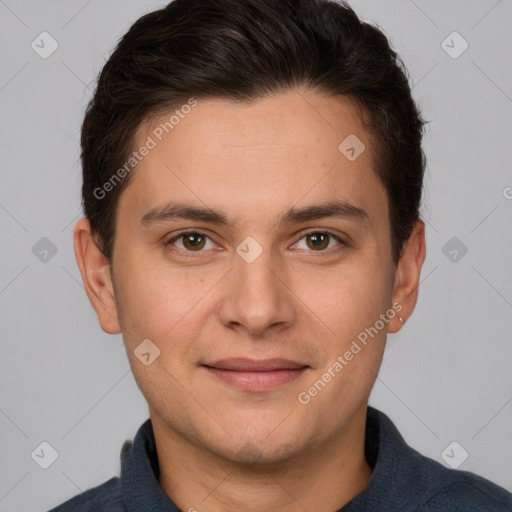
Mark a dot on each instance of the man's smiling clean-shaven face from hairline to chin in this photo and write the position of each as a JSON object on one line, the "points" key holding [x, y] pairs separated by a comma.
{"points": [[265, 272]]}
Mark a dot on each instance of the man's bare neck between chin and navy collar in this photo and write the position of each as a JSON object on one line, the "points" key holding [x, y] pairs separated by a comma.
{"points": [[323, 479]]}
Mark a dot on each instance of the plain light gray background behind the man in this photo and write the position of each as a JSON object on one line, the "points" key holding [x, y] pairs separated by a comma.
{"points": [[445, 376]]}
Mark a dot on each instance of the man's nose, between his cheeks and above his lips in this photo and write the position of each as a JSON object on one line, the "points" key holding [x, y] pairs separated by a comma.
{"points": [[257, 296]]}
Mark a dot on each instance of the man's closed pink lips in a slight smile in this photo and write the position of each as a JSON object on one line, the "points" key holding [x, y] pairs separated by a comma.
{"points": [[256, 376]]}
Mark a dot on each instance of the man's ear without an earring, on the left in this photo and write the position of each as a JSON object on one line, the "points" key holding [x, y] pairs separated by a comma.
{"points": [[96, 277]]}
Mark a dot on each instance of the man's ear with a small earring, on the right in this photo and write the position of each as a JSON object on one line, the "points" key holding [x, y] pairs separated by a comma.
{"points": [[407, 275]]}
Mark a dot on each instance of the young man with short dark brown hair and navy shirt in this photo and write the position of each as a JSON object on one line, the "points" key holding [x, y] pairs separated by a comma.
{"points": [[252, 182]]}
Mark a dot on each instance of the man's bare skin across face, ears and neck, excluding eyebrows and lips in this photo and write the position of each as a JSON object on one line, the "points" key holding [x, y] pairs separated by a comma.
{"points": [[221, 448]]}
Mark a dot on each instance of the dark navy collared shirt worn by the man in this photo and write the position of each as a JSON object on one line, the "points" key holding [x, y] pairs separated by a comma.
{"points": [[403, 480]]}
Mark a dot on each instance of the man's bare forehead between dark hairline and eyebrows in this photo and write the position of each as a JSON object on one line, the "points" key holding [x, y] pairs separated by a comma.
{"points": [[293, 148]]}
